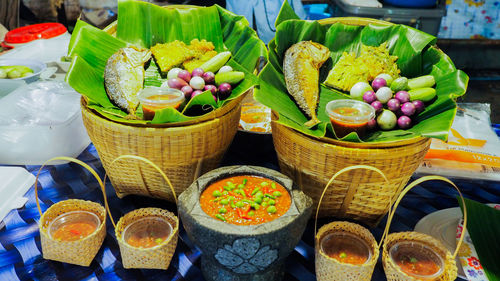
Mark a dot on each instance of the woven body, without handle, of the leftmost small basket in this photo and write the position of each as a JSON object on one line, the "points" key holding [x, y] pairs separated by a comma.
{"points": [[80, 252]]}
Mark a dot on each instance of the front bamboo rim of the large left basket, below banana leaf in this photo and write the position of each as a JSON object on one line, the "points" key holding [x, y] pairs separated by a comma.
{"points": [[232, 105]]}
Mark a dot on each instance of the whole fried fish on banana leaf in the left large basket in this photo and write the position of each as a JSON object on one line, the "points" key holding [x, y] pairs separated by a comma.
{"points": [[124, 77]]}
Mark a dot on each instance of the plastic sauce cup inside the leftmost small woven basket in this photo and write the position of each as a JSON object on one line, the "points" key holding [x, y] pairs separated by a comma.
{"points": [[74, 225]]}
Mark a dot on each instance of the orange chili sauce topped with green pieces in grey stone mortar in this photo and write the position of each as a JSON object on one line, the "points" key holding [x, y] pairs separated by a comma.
{"points": [[236, 200]]}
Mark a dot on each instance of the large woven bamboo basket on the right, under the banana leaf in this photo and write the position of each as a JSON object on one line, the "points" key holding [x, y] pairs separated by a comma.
{"points": [[359, 194]]}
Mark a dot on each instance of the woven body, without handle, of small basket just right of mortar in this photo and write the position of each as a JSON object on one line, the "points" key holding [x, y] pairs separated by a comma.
{"points": [[329, 269]]}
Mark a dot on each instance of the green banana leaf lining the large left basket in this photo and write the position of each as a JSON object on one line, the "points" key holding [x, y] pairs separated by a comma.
{"points": [[143, 24]]}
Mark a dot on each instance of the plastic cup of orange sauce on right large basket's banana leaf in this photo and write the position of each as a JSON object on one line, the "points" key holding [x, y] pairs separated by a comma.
{"points": [[349, 116]]}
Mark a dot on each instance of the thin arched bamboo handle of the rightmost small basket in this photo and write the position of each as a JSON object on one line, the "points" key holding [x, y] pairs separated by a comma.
{"points": [[410, 186]]}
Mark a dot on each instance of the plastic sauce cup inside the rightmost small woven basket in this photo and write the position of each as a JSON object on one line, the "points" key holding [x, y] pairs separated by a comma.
{"points": [[417, 260]]}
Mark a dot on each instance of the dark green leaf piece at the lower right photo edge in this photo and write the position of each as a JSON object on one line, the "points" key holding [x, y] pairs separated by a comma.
{"points": [[483, 224]]}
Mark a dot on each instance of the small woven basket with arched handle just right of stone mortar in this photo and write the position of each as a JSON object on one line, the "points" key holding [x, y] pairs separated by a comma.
{"points": [[330, 269]]}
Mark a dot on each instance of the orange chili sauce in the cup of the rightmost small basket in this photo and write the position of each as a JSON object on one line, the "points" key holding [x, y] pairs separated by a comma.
{"points": [[416, 265]]}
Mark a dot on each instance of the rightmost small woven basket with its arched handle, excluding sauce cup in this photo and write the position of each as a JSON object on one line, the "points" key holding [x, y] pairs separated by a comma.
{"points": [[392, 271]]}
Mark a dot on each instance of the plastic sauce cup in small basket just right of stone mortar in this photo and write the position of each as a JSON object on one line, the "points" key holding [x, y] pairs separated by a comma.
{"points": [[346, 248]]}
